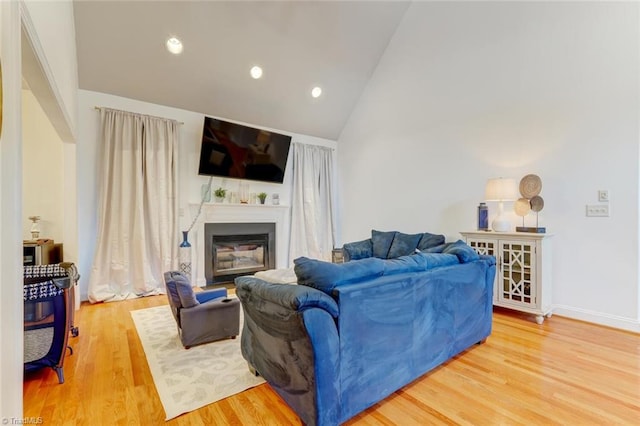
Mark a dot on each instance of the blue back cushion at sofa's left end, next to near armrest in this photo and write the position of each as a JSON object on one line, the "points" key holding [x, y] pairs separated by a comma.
{"points": [[326, 276]]}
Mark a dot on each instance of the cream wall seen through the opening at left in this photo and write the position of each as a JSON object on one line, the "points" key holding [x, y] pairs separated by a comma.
{"points": [[42, 172]]}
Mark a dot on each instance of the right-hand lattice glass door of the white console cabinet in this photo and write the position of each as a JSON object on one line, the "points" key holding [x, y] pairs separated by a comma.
{"points": [[517, 269]]}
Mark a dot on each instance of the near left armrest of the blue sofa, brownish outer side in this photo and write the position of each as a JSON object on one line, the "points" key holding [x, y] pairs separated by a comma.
{"points": [[286, 329]]}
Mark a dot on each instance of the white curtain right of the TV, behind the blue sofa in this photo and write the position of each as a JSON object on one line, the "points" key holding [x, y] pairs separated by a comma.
{"points": [[312, 209]]}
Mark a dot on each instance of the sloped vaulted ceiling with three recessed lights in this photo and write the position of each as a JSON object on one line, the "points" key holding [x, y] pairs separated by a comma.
{"points": [[299, 44]]}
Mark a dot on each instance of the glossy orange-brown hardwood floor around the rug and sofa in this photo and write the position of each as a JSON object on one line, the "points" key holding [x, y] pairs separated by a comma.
{"points": [[561, 372]]}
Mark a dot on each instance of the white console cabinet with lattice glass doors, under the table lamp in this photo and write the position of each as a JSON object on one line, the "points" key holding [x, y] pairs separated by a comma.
{"points": [[523, 269]]}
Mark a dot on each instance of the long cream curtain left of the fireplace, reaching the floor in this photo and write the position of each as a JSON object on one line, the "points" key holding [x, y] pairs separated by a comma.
{"points": [[137, 237]]}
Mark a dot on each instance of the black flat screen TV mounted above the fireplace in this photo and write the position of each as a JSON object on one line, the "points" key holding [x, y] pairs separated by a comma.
{"points": [[241, 152]]}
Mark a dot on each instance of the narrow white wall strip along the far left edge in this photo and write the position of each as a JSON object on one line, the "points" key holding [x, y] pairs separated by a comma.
{"points": [[11, 307]]}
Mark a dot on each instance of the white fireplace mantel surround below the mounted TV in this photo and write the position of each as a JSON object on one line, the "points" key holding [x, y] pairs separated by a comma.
{"points": [[237, 213]]}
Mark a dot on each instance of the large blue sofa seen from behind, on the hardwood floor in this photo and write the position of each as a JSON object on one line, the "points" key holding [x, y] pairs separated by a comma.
{"points": [[348, 335]]}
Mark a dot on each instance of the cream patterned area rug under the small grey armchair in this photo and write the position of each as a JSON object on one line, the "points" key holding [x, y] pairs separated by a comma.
{"points": [[188, 379]]}
